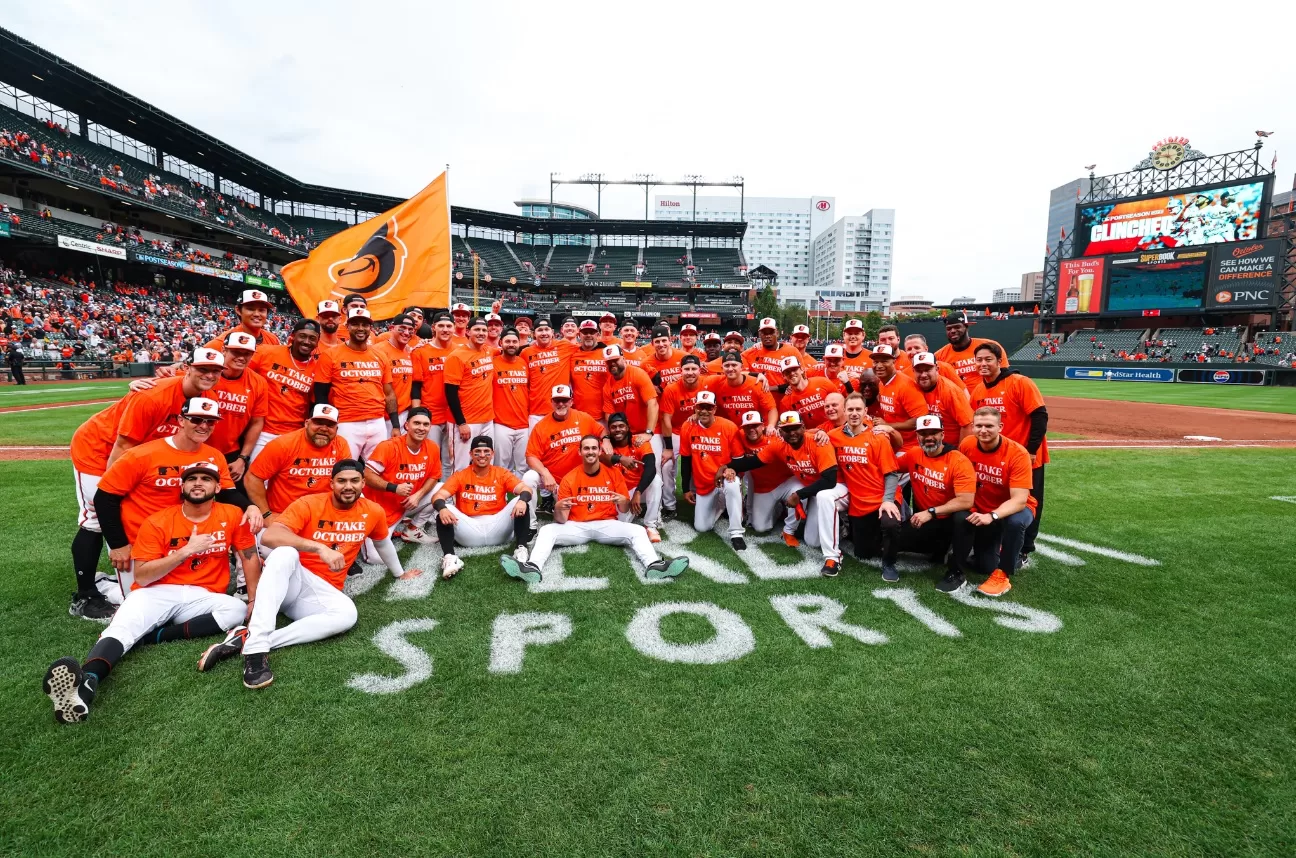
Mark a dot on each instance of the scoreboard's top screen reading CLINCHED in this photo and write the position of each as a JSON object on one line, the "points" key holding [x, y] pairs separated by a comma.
{"points": [[1183, 220]]}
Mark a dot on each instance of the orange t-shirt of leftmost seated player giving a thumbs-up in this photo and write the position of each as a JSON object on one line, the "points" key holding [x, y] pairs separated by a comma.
{"points": [[168, 531]]}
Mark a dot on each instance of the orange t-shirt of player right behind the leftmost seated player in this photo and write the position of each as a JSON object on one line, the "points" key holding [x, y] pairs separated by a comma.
{"points": [[148, 479]]}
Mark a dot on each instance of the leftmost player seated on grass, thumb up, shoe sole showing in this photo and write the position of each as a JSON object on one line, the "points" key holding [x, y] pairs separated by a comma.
{"points": [[182, 568]]}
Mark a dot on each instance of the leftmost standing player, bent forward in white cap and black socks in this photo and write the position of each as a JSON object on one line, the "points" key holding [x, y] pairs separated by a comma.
{"points": [[106, 439]]}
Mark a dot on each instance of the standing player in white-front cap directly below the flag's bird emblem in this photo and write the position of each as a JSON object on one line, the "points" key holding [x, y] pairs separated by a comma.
{"points": [[357, 380]]}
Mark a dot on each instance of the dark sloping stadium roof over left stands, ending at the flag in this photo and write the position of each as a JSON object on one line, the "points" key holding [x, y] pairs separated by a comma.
{"points": [[94, 99]]}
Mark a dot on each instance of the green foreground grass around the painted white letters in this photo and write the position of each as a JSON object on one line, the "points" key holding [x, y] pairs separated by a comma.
{"points": [[1157, 723]]}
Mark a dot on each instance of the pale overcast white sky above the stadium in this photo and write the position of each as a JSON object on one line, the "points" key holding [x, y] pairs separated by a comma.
{"points": [[961, 117]]}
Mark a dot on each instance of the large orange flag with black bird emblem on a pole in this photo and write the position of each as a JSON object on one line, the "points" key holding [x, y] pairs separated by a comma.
{"points": [[399, 260]]}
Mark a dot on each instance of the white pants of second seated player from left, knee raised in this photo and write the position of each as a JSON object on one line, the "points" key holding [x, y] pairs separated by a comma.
{"points": [[317, 609]]}
